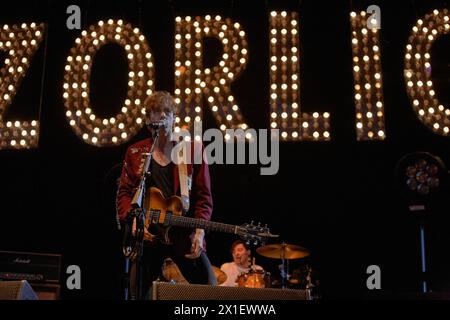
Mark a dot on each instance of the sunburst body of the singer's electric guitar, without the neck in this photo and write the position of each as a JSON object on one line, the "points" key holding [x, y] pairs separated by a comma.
{"points": [[161, 207]]}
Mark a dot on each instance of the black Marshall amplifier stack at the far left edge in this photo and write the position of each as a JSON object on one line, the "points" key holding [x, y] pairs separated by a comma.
{"points": [[41, 271]]}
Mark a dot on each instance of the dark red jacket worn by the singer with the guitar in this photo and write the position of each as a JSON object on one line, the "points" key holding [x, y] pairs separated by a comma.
{"points": [[200, 195]]}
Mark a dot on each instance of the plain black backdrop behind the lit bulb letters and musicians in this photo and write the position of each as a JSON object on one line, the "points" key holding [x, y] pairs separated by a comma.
{"points": [[336, 198]]}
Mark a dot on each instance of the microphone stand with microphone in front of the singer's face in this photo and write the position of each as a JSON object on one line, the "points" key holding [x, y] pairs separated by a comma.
{"points": [[134, 252]]}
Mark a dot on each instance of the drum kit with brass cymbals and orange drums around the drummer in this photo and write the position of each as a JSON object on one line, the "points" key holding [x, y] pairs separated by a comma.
{"points": [[257, 278]]}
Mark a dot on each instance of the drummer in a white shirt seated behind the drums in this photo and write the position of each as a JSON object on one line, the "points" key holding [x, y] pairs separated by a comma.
{"points": [[241, 263]]}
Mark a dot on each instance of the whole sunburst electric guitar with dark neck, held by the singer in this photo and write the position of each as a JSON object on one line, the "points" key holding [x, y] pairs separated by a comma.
{"points": [[162, 213]]}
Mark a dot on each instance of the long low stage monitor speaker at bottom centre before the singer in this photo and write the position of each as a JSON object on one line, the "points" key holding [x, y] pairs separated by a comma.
{"points": [[168, 291]]}
